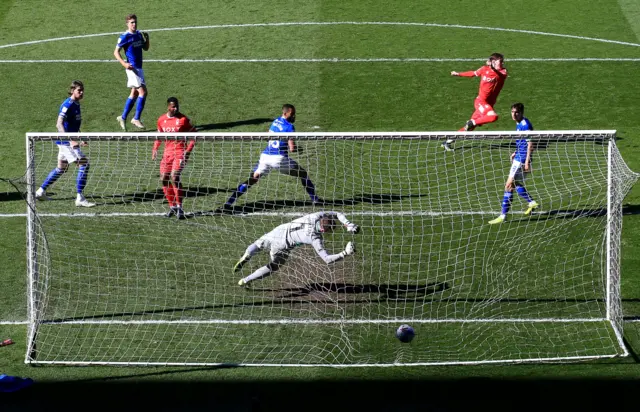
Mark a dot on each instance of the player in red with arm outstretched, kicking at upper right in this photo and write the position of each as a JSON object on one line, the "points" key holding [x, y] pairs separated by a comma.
{"points": [[492, 77]]}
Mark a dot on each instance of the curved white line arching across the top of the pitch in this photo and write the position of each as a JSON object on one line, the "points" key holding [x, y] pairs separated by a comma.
{"points": [[334, 23]]}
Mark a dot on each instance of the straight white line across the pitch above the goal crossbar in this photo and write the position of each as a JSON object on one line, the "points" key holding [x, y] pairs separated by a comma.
{"points": [[335, 60]]}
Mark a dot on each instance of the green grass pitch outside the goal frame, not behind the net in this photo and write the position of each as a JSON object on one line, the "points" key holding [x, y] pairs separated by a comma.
{"points": [[335, 97]]}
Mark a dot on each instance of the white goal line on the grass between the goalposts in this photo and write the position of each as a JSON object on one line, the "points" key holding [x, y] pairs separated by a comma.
{"points": [[314, 321]]}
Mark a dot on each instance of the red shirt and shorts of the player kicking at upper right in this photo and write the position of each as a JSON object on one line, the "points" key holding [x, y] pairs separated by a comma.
{"points": [[491, 82]]}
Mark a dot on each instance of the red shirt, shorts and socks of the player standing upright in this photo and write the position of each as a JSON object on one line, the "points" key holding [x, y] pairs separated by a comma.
{"points": [[174, 153]]}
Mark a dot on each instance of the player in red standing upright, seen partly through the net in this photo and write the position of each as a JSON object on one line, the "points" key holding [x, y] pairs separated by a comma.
{"points": [[175, 155]]}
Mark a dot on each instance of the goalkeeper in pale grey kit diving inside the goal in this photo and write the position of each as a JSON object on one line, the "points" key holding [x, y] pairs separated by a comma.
{"points": [[307, 230]]}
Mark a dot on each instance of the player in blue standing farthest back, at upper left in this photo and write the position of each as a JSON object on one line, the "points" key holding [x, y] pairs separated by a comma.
{"points": [[133, 42]]}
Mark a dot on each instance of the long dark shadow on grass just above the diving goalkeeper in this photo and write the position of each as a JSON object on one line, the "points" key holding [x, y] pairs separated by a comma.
{"points": [[364, 198]]}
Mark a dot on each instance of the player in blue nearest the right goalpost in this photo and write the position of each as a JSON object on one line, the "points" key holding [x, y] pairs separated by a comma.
{"points": [[520, 163]]}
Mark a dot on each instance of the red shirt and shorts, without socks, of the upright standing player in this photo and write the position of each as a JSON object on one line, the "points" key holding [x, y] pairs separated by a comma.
{"points": [[174, 150]]}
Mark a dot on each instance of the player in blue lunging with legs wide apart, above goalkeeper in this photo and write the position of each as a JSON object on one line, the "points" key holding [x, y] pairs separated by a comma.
{"points": [[276, 156]]}
